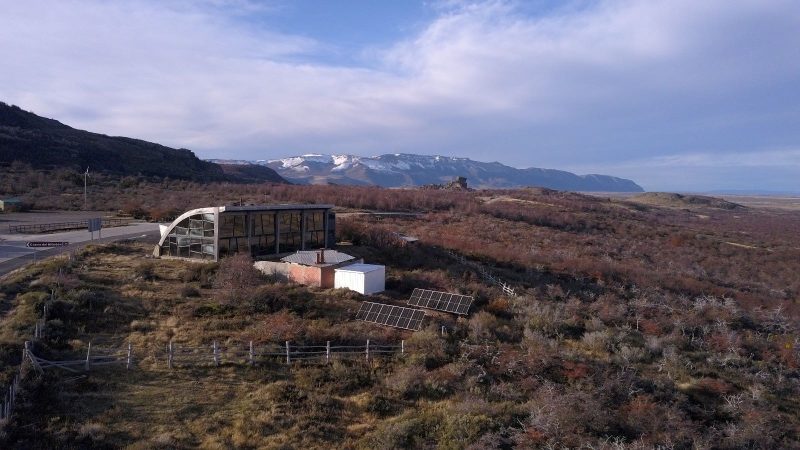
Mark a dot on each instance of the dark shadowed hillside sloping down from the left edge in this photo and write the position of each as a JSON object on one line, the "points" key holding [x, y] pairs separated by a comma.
{"points": [[46, 144]]}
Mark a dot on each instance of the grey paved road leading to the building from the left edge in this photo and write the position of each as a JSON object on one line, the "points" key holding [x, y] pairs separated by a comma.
{"points": [[14, 253]]}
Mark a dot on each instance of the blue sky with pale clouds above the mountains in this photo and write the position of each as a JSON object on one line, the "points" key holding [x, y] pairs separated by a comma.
{"points": [[678, 95]]}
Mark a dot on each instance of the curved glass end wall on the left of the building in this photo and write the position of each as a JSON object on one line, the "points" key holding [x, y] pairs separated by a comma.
{"points": [[193, 237]]}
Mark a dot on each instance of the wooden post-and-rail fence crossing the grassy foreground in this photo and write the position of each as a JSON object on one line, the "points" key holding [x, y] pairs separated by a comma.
{"points": [[214, 355]]}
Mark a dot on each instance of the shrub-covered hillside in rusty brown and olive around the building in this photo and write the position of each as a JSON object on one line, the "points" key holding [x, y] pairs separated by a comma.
{"points": [[633, 327]]}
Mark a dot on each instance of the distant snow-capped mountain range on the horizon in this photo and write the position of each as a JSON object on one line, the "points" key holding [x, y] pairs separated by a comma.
{"points": [[397, 170]]}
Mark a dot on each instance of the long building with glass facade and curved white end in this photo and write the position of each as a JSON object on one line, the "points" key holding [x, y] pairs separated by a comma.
{"points": [[262, 230]]}
